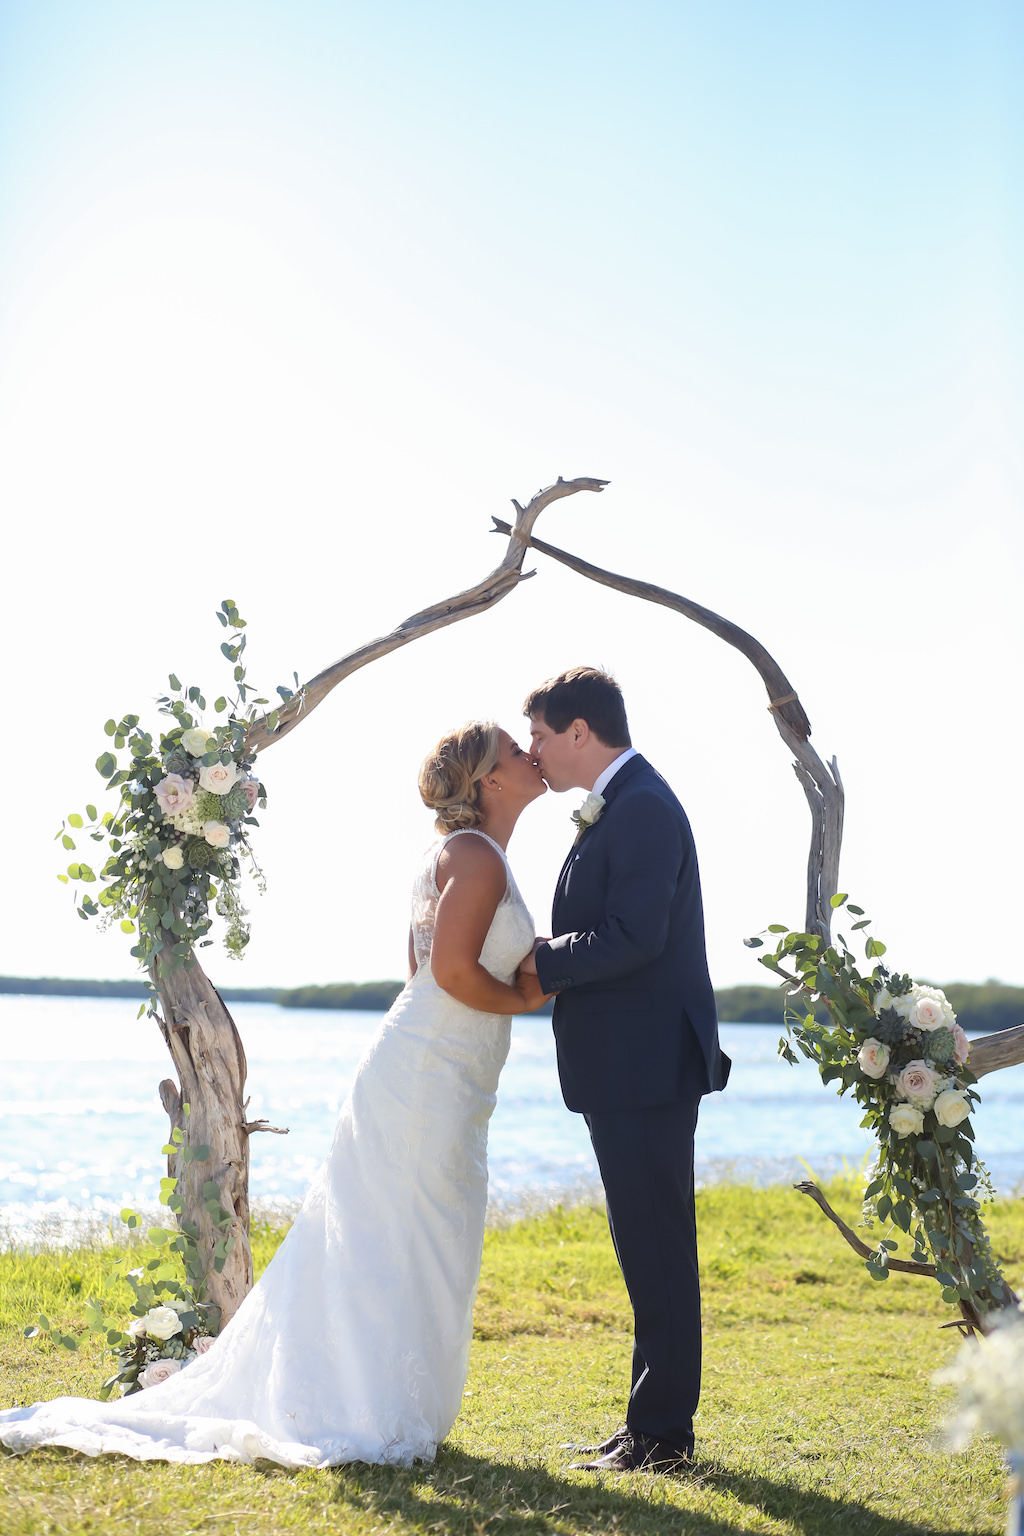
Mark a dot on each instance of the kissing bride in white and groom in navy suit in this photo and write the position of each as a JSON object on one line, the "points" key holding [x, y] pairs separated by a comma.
{"points": [[355, 1343]]}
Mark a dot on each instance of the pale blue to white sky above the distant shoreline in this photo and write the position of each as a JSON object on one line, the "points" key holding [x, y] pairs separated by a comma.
{"points": [[294, 297]]}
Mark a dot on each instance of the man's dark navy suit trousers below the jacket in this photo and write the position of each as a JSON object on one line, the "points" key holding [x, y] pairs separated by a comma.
{"points": [[647, 1167]]}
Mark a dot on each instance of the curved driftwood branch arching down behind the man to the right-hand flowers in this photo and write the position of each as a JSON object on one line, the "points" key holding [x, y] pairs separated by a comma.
{"points": [[821, 784]]}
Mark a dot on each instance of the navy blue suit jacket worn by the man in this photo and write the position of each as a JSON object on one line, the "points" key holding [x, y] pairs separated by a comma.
{"points": [[635, 1016]]}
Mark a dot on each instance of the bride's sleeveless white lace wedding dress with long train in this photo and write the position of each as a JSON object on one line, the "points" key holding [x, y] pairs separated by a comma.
{"points": [[355, 1343]]}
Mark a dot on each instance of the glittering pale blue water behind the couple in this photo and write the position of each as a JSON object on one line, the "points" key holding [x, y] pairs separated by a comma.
{"points": [[82, 1125]]}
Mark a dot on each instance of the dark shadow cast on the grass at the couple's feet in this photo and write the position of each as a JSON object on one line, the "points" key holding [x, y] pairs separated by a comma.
{"points": [[464, 1495]]}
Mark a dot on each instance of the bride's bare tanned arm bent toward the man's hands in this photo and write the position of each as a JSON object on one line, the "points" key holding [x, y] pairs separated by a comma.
{"points": [[472, 881]]}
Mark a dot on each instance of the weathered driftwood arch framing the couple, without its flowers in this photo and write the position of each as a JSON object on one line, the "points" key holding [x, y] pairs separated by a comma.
{"points": [[197, 1027]]}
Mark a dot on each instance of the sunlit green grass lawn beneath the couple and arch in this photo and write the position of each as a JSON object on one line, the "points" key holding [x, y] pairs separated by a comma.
{"points": [[818, 1415]]}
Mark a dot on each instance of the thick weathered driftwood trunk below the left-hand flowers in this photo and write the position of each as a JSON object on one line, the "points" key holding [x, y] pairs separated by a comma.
{"points": [[211, 1064]]}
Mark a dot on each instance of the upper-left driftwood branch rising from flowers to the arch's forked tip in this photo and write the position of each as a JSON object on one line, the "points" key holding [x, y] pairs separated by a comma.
{"points": [[477, 600]]}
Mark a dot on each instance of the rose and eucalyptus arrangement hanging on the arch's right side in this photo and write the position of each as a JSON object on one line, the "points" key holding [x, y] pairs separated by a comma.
{"points": [[896, 1045]]}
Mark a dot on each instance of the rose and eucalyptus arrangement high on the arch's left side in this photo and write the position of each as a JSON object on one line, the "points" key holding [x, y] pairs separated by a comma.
{"points": [[180, 832]]}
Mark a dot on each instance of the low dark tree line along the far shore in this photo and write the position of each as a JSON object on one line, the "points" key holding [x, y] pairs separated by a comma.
{"points": [[983, 1008]]}
